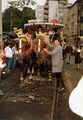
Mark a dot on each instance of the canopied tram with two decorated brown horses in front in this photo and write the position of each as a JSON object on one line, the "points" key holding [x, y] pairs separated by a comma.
{"points": [[35, 61]]}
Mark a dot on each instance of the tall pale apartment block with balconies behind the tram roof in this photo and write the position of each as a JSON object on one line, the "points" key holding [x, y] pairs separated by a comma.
{"points": [[53, 9]]}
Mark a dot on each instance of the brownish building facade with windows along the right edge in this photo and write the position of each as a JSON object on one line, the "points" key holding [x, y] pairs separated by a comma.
{"points": [[74, 24]]}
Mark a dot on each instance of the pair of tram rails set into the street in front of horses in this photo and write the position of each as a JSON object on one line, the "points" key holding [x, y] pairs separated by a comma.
{"points": [[54, 105]]}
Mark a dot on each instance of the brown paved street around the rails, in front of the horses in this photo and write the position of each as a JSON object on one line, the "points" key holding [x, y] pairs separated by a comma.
{"points": [[34, 100]]}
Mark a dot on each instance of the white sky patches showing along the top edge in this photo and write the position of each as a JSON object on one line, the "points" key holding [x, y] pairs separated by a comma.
{"points": [[40, 2]]}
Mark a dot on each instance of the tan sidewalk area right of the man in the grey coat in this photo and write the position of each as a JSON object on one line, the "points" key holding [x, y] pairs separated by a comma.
{"points": [[72, 75]]}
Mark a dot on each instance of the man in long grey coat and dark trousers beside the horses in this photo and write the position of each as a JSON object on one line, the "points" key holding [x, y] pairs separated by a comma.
{"points": [[57, 61]]}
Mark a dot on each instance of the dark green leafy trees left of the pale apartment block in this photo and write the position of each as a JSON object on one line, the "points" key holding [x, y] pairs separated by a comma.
{"points": [[18, 17]]}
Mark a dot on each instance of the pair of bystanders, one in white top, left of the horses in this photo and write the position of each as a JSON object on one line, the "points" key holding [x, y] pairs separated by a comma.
{"points": [[10, 54]]}
